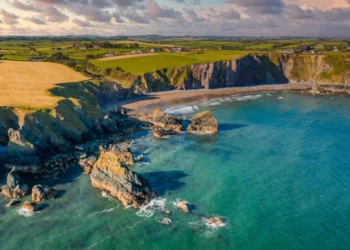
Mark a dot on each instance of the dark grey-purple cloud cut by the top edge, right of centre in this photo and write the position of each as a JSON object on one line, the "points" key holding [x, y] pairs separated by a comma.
{"points": [[262, 7]]}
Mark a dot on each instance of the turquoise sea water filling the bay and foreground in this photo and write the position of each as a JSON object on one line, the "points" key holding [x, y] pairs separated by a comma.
{"points": [[278, 172]]}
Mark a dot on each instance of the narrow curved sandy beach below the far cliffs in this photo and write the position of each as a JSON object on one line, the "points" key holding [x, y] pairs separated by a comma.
{"points": [[175, 97]]}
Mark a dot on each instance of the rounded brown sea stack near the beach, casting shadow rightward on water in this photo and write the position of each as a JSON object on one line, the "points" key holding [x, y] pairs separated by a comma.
{"points": [[203, 123]]}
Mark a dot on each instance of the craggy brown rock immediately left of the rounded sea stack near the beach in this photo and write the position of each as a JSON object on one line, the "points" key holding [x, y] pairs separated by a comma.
{"points": [[167, 122]]}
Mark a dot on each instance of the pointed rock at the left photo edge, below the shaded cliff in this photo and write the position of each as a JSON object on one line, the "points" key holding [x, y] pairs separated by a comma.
{"points": [[14, 187]]}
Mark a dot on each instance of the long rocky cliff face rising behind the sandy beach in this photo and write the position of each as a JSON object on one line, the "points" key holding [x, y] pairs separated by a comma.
{"points": [[252, 70]]}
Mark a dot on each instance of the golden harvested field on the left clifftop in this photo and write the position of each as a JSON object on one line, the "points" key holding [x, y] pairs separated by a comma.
{"points": [[26, 84]]}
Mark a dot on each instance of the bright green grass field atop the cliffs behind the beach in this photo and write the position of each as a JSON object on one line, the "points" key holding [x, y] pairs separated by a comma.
{"points": [[141, 65]]}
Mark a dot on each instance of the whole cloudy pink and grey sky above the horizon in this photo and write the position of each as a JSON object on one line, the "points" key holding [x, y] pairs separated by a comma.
{"points": [[311, 18]]}
